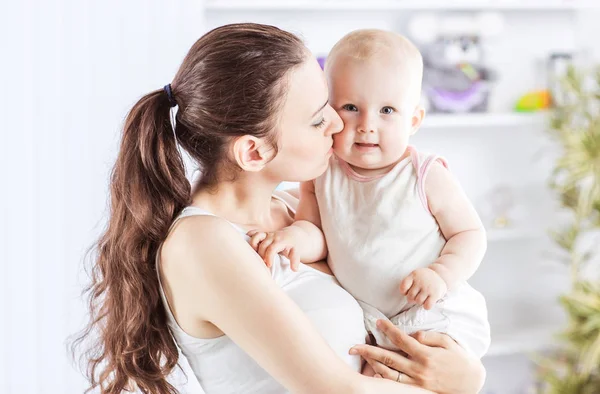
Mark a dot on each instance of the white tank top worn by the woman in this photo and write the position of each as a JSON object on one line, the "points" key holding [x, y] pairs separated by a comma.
{"points": [[221, 367]]}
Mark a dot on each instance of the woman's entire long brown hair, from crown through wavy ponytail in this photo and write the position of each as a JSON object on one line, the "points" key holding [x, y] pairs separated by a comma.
{"points": [[230, 84]]}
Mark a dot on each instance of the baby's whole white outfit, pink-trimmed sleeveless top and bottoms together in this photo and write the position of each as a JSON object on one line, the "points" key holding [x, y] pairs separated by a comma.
{"points": [[379, 230]]}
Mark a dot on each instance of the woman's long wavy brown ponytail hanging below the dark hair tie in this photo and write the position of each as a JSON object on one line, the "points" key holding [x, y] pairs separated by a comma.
{"points": [[148, 189]]}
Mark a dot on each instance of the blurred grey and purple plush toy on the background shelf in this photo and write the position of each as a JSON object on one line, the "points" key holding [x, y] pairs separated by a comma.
{"points": [[455, 77]]}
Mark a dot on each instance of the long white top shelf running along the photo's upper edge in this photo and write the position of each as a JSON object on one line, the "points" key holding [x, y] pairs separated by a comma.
{"points": [[349, 5]]}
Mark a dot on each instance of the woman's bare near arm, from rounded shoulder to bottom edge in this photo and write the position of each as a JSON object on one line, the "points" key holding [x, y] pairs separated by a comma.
{"points": [[211, 264]]}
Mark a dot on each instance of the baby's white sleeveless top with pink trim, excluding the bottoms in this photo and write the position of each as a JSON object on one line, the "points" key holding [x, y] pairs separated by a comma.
{"points": [[378, 230]]}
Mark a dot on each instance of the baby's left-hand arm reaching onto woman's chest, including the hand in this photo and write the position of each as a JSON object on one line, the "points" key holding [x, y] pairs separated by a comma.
{"points": [[303, 241]]}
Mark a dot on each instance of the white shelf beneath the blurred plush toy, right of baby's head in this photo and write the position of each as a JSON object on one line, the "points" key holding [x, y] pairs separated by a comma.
{"points": [[485, 120]]}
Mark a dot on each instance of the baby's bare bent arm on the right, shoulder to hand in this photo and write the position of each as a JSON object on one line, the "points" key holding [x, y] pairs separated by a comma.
{"points": [[466, 240]]}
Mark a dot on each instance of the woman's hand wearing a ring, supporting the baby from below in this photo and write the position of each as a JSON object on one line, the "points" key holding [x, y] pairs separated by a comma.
{"points": [[433, 361]]}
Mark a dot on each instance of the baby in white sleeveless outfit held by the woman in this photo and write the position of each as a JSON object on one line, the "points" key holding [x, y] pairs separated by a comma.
{"points": [[401, 236]]}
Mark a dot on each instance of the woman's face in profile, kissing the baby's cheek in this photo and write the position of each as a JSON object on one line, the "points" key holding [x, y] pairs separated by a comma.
{"points": [[306, 126]]}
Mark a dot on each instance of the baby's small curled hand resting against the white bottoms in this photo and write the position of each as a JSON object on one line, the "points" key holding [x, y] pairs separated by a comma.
{"points": [[424, 287]]}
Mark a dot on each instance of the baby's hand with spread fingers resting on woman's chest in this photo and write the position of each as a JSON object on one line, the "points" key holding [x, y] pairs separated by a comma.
{"points": [[285, 242]]}
